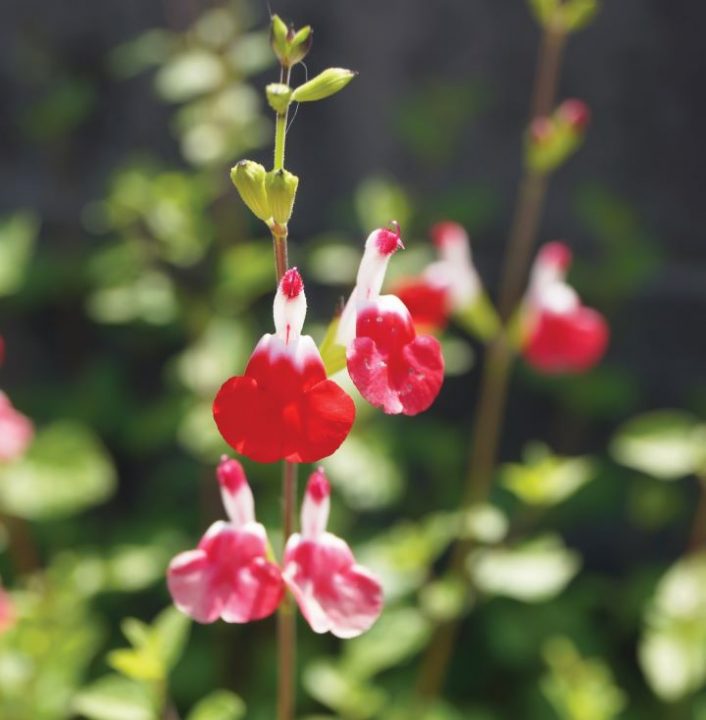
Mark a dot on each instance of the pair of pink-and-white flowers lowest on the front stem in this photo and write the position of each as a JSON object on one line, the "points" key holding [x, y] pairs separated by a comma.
{"points": [[231, 574]]}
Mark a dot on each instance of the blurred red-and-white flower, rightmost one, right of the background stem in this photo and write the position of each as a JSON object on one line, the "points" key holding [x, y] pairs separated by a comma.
{"points": [[561, 335]]}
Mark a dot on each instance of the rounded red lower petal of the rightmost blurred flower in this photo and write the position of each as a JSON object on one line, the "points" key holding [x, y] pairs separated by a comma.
{"points": [[569, 342]]}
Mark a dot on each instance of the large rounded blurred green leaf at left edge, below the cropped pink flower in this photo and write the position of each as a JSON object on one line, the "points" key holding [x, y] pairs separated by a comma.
{"points": [[65, 471]]}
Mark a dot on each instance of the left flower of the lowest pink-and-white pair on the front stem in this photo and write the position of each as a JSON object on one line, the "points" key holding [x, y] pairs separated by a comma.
{"points": [[228, 575]]}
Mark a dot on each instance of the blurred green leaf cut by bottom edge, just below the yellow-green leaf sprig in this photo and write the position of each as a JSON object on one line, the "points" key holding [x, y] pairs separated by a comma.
{"points": [[115, 698]]}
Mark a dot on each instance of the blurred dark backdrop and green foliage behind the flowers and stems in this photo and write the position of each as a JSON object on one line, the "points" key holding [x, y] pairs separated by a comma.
{"points": [[133, 282]]}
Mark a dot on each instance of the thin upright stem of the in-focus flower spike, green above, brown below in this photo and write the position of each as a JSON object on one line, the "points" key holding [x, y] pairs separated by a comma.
{"points": [[286, 615]]}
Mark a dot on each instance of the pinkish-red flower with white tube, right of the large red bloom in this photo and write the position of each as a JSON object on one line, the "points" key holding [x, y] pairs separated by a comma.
{"points": [[393, 368]]}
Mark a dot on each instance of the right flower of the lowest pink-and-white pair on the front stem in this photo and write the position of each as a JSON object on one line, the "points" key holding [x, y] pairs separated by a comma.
{"points": [[334, 593]]}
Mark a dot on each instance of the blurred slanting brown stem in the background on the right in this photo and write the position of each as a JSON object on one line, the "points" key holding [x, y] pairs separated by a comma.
{"points": [[490, 409]]}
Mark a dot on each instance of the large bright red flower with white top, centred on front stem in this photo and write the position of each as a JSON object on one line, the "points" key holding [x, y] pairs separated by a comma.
{"points": [[283, 407]]}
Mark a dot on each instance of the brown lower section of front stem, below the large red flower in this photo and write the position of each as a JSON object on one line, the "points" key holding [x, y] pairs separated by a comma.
{"points": [[286, 617]]}
